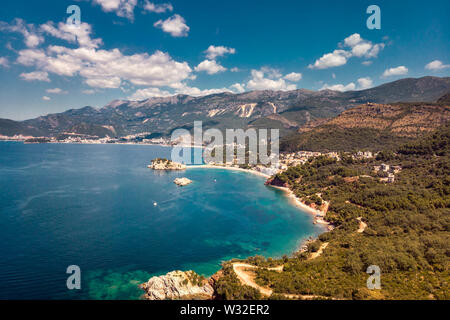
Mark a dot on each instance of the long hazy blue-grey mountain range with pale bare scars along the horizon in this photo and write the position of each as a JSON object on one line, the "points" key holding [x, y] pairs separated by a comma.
{"points": [[286, 110]]}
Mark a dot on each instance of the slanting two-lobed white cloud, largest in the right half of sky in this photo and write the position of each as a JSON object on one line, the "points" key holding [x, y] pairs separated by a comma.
{"points": [[358, 47]]}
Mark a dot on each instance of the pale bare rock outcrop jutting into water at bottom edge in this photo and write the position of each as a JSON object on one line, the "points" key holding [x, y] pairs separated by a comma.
{"points": [[177, 285]]}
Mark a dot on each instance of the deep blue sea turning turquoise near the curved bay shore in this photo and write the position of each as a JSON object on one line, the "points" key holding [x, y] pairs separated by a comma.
{"points": [[92, 206]]}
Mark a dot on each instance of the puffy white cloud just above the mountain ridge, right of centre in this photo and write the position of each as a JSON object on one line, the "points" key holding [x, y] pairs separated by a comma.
{"points": [[268, 79]]}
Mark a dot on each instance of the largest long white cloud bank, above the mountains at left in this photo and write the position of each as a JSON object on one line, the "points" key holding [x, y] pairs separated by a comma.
{"points": [[108, 68]]}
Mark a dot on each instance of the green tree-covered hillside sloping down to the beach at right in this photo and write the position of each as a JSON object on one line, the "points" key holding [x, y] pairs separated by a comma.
{"points": [[407, 233]]}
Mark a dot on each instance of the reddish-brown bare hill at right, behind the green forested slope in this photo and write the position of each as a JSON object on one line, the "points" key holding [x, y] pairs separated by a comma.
{"points": [[370, 126]]}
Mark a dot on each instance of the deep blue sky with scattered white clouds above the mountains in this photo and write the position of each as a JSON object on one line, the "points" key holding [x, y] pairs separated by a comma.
{"points": [[135, 49]]}
